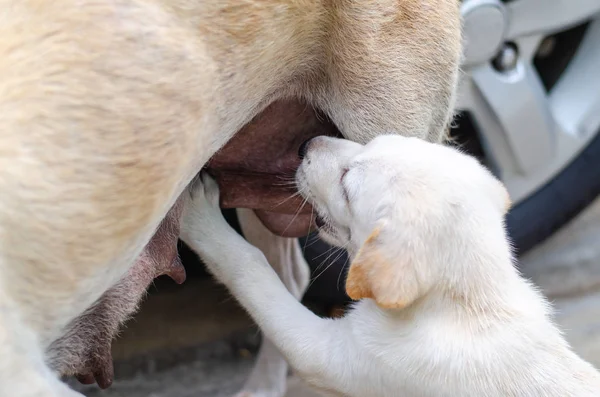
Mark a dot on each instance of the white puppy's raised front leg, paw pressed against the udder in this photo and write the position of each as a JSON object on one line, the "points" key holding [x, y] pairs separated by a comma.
{"points": [[316, 348]]}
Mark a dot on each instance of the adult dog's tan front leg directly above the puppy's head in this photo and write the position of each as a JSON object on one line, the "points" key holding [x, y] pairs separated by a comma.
{"points": [[394, 68]]}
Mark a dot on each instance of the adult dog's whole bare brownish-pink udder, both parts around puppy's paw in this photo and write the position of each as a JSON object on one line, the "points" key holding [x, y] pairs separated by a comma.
{"points": [[254, 170]]}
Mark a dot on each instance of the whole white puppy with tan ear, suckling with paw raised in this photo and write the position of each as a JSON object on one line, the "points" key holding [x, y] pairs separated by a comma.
{"points": [[443, 311]]}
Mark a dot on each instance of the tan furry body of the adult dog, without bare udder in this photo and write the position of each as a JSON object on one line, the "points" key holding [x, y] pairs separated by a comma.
{"points": [[110, 107]]}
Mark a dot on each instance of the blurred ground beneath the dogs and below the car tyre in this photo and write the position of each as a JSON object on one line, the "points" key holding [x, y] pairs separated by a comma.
{"points": [[195, 341]]}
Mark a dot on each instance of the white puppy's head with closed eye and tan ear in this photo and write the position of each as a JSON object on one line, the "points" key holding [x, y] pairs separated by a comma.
{"points": [[404, 208]]}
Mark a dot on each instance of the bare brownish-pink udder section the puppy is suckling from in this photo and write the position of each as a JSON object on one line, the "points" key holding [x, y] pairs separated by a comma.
{"points": [[256, 168]]}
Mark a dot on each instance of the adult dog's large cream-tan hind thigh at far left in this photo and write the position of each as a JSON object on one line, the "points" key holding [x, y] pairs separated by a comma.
{"points": [[96, 145]]}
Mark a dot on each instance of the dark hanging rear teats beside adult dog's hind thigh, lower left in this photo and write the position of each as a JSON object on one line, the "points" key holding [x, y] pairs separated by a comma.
{"points": [[85, 349]]}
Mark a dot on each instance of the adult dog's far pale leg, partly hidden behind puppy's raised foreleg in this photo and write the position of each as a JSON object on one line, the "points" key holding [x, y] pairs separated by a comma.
{"points": [[268, 377]]}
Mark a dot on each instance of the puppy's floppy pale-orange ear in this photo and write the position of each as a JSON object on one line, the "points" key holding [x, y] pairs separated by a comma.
{"points": [[392, 282]]}
